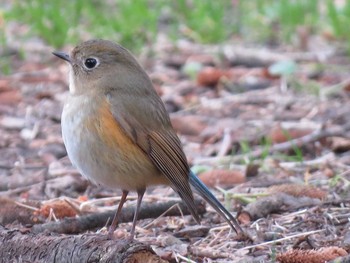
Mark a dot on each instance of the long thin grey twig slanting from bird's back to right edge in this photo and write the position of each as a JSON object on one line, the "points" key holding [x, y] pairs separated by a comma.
{"points": [[298, 142]]}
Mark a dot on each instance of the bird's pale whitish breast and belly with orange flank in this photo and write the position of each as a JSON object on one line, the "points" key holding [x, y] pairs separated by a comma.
{"points": [[98, 146]]}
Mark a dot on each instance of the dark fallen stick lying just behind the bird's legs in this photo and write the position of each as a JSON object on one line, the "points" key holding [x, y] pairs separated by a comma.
{"points": [[88, 222]]}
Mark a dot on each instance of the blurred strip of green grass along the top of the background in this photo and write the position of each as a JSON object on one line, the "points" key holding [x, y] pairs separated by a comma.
{"points": [[136, 23]]}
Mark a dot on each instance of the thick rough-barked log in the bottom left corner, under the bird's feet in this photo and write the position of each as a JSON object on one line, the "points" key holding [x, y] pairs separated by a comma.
{"points": [[28, 247]]}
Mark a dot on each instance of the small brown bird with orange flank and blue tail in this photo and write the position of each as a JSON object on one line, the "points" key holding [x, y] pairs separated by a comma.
{"points": [[118, 133]]}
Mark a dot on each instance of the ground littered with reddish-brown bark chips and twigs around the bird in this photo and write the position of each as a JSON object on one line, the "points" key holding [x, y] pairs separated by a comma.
{"points": [[274, 148]]}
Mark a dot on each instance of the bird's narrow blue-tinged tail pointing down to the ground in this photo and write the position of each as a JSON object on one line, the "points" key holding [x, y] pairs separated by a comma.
{"points": [[211, 199]]}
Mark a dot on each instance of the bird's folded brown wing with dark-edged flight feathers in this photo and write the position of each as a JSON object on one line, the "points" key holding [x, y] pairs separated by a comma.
{"points": [[147, 123]]}
